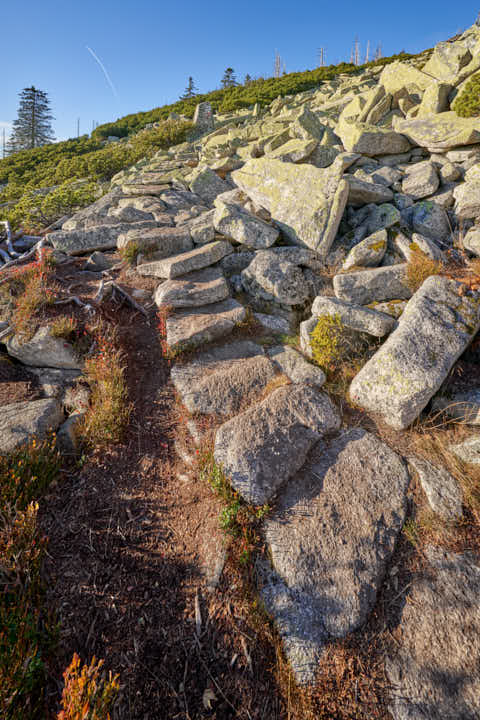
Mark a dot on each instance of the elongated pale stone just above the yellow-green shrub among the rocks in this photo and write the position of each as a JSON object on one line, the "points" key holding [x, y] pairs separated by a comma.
{"points": [[357, 318]]}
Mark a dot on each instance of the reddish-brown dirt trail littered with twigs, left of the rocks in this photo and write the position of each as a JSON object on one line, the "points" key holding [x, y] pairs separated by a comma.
{"points": [[127, 544]]}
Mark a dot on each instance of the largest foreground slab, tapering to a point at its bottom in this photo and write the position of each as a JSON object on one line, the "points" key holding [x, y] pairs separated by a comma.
{"points": [[330, 538]]}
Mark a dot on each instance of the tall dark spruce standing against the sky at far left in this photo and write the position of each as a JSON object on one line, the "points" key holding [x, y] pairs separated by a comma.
{"points": [[33, 126]]}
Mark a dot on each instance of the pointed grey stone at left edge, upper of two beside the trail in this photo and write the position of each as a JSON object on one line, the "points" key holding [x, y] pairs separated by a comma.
{"points": [[44, 350]]}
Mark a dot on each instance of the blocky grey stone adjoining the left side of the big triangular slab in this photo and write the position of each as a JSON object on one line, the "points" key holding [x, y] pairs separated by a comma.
{"points": [[235, 223]]}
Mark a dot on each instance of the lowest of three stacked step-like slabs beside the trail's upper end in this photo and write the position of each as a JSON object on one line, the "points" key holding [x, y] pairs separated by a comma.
{"points": [[189, 328]]}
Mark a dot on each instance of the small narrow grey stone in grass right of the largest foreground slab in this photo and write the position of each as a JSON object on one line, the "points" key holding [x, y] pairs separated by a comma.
{"points": [[443, 493]]}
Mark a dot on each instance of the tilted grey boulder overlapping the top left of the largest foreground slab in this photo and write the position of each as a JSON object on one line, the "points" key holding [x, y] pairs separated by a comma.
{"points": [[263, 447]]}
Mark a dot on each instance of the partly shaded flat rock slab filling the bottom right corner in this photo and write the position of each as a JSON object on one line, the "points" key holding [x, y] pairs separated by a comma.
{"points": [[434, 671]]}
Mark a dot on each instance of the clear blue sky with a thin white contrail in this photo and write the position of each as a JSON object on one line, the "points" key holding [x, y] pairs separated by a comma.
{"points": [[150, 47]]}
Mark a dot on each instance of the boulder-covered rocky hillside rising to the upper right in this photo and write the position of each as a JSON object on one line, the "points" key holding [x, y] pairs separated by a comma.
{"points": [[314, 265]]}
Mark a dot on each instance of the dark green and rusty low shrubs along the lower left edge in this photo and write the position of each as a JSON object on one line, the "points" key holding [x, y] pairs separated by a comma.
{"points": [[27, 631]]}
